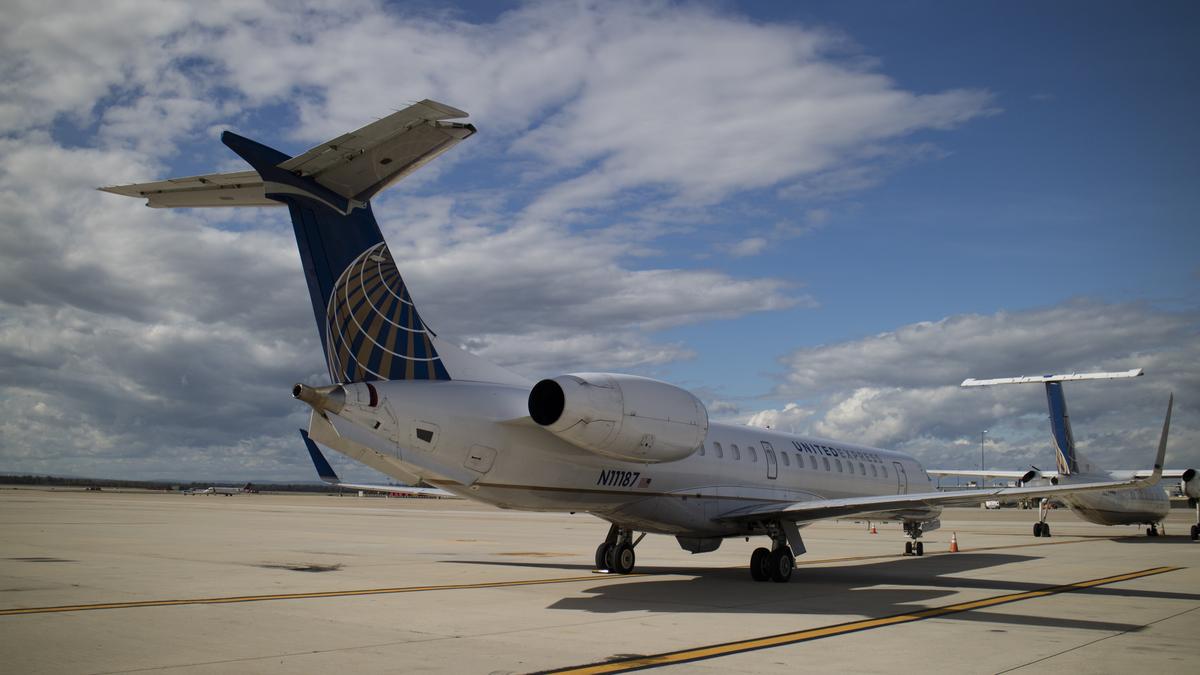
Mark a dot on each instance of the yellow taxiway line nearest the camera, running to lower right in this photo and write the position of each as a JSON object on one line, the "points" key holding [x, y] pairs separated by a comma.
{"points": [[727, 649]]}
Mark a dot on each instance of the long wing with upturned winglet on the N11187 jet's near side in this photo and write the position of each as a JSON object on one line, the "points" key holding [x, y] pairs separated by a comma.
{"points": [[896, 505]]}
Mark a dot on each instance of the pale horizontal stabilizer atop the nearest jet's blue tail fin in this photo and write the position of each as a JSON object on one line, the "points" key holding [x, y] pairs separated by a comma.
{"points": [[356, 165]]}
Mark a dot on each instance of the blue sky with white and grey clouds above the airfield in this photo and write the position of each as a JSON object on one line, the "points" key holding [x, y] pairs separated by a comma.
{"points": [[819, 217]]}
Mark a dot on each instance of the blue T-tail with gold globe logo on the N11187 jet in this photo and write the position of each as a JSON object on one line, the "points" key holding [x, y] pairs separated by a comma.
{"points": [[370, 328]]}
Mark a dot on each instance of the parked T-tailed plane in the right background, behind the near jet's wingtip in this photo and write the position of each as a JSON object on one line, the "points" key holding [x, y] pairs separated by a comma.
{"points": [[1133, 506]]}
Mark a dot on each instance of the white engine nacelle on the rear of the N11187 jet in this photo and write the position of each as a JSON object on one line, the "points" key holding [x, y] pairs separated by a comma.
{"points": [[621, 416]]}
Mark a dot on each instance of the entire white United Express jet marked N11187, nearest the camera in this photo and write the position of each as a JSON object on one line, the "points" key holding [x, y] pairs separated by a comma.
{"points": [[638, 453]]}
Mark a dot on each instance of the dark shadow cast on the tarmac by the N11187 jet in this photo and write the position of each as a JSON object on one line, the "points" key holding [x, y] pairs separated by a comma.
{"points": [[836, 590]]}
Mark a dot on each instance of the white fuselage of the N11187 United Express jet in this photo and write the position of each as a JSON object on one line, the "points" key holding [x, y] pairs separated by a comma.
{"points": [[477, 440]]}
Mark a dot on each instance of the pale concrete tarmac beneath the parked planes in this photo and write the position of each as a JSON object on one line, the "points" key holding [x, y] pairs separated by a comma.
{"points": [[141, 582]]}
